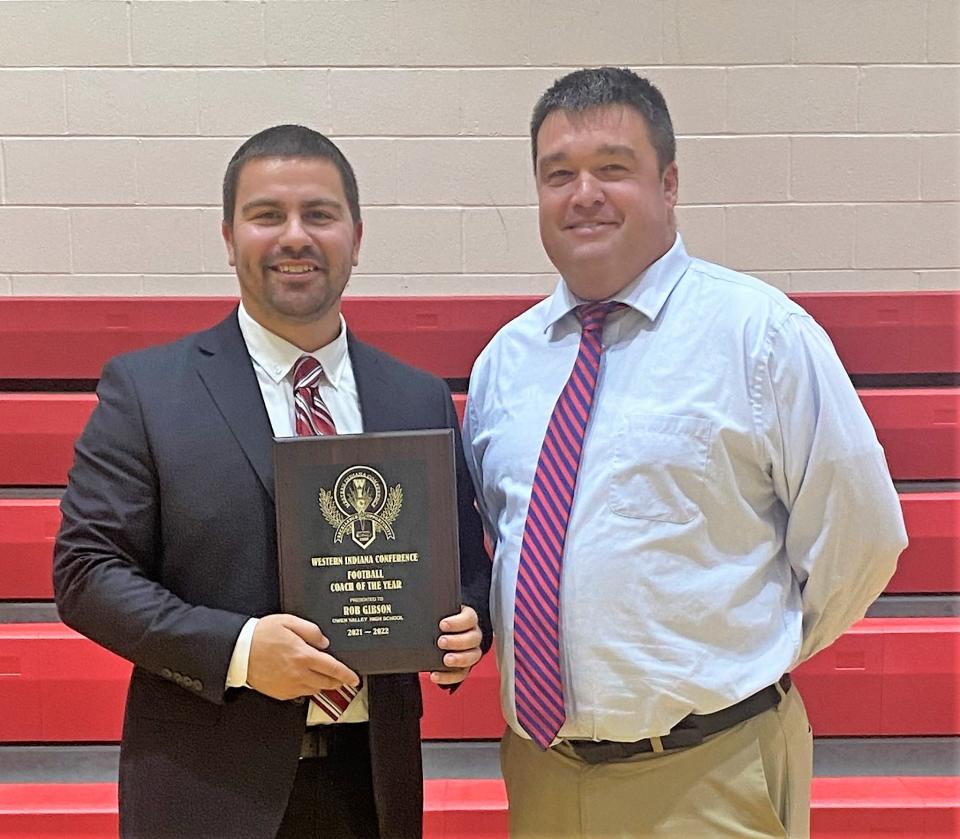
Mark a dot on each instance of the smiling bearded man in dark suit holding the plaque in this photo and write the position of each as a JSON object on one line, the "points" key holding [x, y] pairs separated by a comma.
{"points": [[167, 553]]}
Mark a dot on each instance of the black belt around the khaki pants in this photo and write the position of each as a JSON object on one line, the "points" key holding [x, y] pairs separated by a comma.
{"points": [[690, 731]]}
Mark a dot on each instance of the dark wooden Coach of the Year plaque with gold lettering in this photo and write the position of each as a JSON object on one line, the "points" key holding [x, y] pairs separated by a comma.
{"points": [[368, 545]]}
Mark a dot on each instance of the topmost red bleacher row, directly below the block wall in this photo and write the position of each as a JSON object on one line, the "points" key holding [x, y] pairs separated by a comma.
{"points": [[882, 332]]}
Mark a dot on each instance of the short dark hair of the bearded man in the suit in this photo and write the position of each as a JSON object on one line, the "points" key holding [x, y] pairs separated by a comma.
{"points": [[289, 141]]}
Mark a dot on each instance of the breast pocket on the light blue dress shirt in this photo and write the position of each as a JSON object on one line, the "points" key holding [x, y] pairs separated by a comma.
{"points": [[659, 467]]}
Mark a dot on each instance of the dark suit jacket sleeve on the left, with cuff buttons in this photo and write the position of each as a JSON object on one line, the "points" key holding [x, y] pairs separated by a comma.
{"points": [[108, 553]]}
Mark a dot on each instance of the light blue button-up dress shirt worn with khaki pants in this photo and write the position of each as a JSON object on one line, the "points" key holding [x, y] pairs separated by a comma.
{"points": [[733, 514]]}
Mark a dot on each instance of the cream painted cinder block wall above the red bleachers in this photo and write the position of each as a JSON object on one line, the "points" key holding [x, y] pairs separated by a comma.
{"points": [[819, 140]]}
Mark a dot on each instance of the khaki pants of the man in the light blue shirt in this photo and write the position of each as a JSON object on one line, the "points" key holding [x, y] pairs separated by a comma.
{"points": [[752, 780]]}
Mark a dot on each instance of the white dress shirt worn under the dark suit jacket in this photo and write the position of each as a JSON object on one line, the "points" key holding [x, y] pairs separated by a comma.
{"points": [[273, 361]]}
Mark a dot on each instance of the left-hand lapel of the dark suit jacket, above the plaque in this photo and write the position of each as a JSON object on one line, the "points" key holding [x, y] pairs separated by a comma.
{"points": [[226, 370]]}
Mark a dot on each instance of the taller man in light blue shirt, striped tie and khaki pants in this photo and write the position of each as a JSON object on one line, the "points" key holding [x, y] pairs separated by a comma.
{"points": [[733, 512]]}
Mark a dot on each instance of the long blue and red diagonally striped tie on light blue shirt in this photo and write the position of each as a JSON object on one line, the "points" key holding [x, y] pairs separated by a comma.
{"points": [[536, 620]]}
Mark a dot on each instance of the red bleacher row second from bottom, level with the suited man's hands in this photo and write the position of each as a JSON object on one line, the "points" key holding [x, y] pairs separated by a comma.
{"points": [[866, 683]]}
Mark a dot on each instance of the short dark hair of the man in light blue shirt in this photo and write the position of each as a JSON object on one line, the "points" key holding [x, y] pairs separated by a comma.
{"points": [[582, 90]]}
